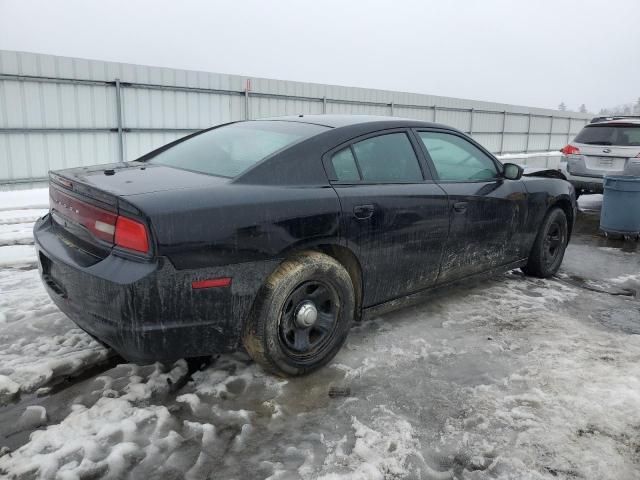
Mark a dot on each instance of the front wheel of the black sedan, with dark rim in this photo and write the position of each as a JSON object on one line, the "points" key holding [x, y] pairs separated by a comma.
{"points": [[549, 247]]}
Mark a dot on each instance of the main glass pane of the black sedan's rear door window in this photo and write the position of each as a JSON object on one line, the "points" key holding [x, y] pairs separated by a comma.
{"points": [[387, 158]]}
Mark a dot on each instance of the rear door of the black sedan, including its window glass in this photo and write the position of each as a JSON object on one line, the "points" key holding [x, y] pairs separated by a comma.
{"points": [[395, 218]]}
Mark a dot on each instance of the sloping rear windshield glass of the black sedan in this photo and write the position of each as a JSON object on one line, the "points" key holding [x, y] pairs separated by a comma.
{"points": [[229, 150]]}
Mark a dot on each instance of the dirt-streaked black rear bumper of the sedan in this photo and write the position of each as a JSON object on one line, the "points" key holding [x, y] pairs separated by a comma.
{"points": [[148, 311]]}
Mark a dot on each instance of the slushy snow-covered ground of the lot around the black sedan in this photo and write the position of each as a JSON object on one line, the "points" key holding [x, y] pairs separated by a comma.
{"points": [[512, 378]]}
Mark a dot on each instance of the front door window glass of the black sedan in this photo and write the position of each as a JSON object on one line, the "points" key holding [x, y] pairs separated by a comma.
{"points": [[456, 159]]}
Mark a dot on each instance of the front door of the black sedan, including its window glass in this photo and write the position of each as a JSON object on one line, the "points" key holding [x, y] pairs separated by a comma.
{"points": [[487, 211]]}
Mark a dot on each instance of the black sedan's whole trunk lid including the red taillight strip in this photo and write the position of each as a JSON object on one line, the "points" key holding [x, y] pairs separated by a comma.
{"points": [[90, 211]]}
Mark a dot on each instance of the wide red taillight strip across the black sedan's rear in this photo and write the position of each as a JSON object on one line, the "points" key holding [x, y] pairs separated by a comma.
{"points": [[104, 225]]}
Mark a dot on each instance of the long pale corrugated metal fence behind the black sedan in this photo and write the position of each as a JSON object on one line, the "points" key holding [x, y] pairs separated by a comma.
{"points": [[58, 112]]}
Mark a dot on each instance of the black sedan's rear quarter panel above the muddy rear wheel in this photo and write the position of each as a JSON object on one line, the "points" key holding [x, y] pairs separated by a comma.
{"points": [[235, 223]]}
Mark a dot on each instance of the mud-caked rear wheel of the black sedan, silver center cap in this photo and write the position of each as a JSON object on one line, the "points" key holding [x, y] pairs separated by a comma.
{"points": [[280, 333]]}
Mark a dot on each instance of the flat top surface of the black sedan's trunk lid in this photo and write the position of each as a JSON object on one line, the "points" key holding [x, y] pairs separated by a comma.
{"points": [[135, 178]]}
